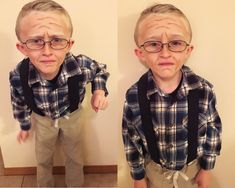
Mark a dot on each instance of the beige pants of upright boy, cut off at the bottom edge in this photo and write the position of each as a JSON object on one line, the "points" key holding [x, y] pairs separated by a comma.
{"points": [[158, 177]]}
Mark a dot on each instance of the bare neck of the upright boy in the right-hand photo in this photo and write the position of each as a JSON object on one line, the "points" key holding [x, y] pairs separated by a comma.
{"points": [[168, 85]]}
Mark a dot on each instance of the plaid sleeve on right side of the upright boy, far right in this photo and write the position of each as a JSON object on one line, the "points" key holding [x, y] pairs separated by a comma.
{"points": [[212, 144]]}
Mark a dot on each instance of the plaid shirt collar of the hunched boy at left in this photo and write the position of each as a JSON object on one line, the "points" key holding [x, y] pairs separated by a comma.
{"points": [[69, 69]]}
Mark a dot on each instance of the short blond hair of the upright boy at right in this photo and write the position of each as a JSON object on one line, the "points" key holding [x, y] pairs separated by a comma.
{"points": [[160, 9]]}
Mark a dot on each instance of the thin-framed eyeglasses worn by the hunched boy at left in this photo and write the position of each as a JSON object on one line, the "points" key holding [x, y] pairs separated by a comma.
{"points": [[55, 43]]}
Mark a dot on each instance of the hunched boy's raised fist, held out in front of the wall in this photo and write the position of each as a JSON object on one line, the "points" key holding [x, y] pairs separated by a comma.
{"points": [[98, 100]]}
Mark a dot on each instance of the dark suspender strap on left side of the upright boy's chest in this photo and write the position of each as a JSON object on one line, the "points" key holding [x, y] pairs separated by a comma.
{"points": [[146, 118]]}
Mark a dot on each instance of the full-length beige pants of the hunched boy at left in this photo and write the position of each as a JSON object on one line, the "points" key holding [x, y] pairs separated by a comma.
{"points": [[69, 131]]}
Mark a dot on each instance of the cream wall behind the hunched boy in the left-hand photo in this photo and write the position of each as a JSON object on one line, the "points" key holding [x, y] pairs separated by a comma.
{"points": [[95, 35]]}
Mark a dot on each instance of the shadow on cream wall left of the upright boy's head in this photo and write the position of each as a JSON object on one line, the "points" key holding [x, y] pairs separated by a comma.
{"points": [[129, 67]]}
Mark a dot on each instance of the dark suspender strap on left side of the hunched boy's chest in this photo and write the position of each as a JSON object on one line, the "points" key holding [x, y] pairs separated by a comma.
{"points": [[27, 91]]}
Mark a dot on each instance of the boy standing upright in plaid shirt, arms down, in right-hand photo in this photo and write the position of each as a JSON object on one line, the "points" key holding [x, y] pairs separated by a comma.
{"points": [[171, 128]]}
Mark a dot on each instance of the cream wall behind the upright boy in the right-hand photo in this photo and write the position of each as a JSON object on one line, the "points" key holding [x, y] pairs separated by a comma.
{"points": [[213, 58]]}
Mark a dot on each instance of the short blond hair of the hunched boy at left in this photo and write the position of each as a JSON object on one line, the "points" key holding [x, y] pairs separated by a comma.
{"points": [[44, 6]]}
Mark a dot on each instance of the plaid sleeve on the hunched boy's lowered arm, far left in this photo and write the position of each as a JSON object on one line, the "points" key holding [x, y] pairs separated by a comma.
{"points": [[21, 112]]}
